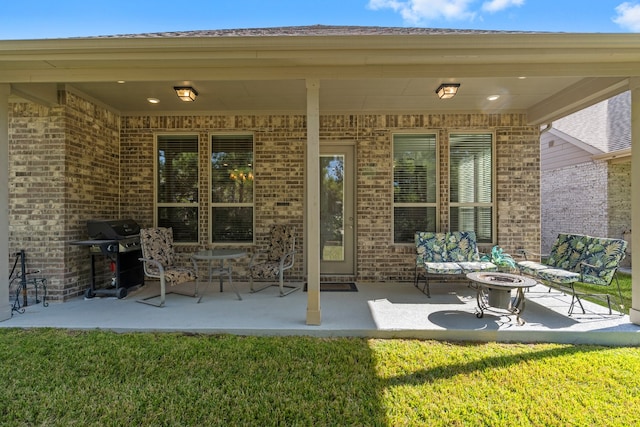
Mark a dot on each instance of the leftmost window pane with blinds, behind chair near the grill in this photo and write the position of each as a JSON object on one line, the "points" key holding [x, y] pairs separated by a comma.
{"points": [[177, 186]]}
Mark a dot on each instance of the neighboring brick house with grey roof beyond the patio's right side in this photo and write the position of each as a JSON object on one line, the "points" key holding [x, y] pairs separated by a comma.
{"points": [[586, 173]]}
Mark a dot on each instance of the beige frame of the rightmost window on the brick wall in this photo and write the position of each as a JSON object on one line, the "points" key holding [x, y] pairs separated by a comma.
{"points": [[492, 204]]}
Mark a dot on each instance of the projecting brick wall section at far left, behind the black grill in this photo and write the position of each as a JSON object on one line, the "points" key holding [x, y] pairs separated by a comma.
{"points": [[64, 169]]}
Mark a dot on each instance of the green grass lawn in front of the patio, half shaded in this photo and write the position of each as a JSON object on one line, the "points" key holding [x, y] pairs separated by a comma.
{"points": [[59, 377]]}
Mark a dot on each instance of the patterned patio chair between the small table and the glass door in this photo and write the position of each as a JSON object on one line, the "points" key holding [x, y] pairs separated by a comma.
{"points": [[270, 264]]}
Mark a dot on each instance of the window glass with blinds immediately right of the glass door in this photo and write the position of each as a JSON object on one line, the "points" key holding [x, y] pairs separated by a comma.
{"points": [[414, 185]]}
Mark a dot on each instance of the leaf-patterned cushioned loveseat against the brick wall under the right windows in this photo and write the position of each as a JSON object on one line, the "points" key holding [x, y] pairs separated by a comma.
{"points": [[449, 255]]}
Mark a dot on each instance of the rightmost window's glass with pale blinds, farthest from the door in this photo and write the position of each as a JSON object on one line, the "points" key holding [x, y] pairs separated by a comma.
{"points": [[471, 184]]}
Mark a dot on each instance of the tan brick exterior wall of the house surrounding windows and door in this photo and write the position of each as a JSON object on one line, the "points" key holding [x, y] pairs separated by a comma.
{"points": [[110, 159]]}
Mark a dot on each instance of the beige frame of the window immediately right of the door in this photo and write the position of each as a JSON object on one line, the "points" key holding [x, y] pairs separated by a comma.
{"points": [[437, 203]]}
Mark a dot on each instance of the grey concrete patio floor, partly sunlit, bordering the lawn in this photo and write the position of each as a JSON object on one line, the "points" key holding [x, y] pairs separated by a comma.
{"points": [[378, 310]]}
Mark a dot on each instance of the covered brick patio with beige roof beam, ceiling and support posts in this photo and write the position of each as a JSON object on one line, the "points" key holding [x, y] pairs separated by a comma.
{"points": [[81, 108]]}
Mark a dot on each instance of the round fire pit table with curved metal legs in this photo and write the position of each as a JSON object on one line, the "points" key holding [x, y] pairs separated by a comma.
{"points": [[494, 293]]}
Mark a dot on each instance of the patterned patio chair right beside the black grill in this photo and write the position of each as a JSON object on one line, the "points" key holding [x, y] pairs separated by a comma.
{"points": [[159, 260]]}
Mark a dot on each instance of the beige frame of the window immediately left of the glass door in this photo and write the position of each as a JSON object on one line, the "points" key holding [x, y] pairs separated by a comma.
{"points": [[213, 205]]}
